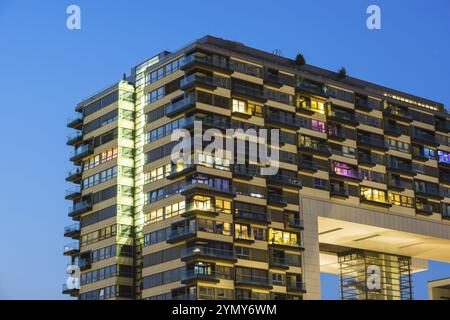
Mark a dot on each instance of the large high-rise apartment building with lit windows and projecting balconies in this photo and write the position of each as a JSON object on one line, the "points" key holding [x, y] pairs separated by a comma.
{"points": [[363, 181]]}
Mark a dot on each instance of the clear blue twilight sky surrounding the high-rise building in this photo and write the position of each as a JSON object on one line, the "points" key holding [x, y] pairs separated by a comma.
{"points": [[47, 69]]}
